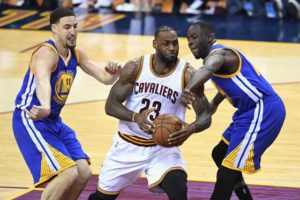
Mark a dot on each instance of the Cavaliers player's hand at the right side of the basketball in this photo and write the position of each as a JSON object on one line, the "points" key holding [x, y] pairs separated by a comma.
{"points": [[177, 138]]}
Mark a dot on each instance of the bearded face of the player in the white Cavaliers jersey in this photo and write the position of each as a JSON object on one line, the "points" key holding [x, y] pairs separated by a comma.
{"points": [[166, 46]]}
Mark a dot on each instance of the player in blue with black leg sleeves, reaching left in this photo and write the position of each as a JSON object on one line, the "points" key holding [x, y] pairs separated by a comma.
{"points": [[256, 123]]}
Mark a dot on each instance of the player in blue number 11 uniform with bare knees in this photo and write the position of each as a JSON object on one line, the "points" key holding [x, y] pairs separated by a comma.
{"points": [[49, 147]]}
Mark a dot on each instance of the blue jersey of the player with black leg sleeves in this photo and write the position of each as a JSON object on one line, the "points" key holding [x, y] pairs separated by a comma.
{"points": [[245, 87]]}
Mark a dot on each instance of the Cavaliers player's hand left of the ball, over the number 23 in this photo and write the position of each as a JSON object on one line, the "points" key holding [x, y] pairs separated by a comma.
{"points": [[143, 122]]}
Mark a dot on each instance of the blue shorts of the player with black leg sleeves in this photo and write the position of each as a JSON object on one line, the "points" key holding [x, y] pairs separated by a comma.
{"points": [[251, 133]]}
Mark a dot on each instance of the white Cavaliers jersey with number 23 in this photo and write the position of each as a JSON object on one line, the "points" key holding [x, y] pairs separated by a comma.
{"points": [[152, 90]]}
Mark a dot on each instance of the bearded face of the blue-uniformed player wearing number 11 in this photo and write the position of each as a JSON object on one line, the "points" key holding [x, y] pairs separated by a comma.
{"points": [[66, 30]]}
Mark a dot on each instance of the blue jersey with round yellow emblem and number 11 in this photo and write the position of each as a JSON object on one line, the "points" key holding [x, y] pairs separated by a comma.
{"points": [[61, 81]]}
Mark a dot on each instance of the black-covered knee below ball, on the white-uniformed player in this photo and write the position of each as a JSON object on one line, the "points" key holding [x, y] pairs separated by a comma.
{"points": [[174, 184]]}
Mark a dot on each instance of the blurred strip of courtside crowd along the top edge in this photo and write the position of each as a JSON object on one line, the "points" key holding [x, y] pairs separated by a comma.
{"points": [[255, 8]]}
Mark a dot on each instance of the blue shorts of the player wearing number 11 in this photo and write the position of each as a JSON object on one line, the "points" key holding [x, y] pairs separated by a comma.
{"points": [[48, 146]]}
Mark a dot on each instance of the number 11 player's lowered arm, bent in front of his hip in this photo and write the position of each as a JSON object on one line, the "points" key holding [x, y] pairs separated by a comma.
{"points": [[42, 64]]}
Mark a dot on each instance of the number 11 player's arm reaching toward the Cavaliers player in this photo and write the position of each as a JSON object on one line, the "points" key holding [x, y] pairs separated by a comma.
{"points": [[107, 75]]}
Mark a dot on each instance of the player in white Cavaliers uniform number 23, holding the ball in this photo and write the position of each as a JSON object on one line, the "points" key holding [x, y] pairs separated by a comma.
{"points": [[151, 85]]}
